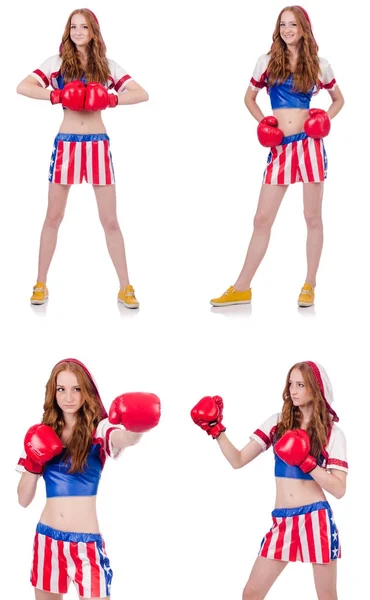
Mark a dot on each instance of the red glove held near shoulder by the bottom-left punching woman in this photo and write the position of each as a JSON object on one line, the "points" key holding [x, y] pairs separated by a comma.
{"points": [[41, 444]]}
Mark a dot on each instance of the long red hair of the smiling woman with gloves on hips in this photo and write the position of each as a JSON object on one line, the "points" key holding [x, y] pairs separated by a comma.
{"points": [[306, 72]]}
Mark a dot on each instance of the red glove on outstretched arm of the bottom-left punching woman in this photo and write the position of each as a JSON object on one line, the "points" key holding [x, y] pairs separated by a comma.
{"points": [[136, 411]]}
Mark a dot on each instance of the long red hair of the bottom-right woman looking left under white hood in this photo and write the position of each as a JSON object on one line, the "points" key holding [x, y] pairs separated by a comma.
{"points": [[291, 416]]}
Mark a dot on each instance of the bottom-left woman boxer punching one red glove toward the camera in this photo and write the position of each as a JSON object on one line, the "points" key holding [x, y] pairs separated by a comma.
{"points": [[69, 449]]}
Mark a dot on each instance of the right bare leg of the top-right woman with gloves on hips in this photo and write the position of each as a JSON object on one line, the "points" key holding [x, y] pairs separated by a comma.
{"points": [[312, 204]]}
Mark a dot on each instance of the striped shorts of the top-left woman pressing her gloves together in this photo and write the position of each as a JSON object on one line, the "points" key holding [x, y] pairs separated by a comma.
{"points": [[77, 157]]}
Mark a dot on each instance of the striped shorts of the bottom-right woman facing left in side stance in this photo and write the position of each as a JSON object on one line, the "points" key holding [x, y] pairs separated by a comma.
{"points": [[307, 533]]}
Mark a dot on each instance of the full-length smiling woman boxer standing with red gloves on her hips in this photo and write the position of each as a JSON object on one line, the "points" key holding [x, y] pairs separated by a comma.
{"points": [[291, 72]]}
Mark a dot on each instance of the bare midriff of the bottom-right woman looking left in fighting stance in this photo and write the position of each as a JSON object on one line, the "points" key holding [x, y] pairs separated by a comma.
{"points": [[291, 493]]}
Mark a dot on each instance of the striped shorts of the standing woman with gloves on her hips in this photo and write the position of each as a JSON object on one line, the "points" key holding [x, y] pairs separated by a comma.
{"points": [[297, 158]]}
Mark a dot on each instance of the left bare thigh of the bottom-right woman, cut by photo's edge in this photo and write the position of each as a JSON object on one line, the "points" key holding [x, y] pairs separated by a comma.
{"points": [[264, 573]]}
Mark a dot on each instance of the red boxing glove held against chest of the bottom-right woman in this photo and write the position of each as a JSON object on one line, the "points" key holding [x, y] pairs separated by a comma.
{"points": [[294, 447]]}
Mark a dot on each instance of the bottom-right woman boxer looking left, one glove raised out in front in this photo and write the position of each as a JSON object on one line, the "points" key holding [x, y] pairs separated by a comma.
{"points": [[310, 458]]}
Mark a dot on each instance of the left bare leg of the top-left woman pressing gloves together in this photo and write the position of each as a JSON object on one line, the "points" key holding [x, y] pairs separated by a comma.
{"points": [[57, 201]]}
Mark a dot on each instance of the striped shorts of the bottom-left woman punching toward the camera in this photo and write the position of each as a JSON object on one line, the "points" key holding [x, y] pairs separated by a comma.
{"points": [[60, 557]]}
